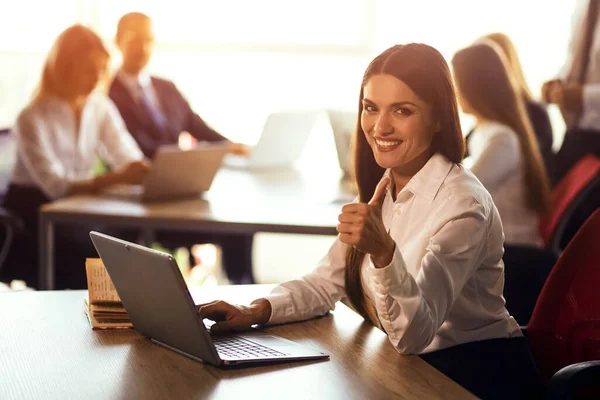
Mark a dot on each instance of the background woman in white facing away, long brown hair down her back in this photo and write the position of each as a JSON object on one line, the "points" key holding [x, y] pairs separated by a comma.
{"points": [[503, 148]]}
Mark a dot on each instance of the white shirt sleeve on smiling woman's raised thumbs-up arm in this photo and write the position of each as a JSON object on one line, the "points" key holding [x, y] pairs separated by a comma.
{"points": [[412, 309]]}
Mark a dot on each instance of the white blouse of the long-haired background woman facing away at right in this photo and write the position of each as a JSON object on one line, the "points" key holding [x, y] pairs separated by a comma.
{"points": [[498, 164]]}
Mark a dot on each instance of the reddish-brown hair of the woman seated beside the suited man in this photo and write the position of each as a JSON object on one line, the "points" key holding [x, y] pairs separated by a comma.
{"points": [[73, 44]]}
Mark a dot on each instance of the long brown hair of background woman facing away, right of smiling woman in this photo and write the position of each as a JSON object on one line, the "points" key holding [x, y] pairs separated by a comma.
{"points": [[485, 84]]}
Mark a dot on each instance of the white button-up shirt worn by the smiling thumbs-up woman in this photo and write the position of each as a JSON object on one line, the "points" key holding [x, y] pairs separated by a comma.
{"points": [[444, 285]]}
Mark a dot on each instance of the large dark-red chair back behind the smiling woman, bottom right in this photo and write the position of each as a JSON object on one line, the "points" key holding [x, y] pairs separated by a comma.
{"points": [[565, 325]]}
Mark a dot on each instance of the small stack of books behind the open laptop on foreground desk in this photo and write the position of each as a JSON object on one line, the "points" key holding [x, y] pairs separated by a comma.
{"points": [[102, 305]]}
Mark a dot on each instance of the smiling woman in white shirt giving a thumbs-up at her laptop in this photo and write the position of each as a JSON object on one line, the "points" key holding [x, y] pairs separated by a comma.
{"points": [[419, 253]]}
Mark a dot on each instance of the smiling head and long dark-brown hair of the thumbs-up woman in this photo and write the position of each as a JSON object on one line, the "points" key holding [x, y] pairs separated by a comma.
{"points": [[404, 119]]}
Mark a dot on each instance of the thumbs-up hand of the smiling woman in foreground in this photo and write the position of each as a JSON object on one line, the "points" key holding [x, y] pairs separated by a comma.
{"points": [[361, 226]]}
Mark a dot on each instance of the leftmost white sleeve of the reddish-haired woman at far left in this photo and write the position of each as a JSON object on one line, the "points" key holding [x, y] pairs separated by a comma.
{"points": [[42, 164]]}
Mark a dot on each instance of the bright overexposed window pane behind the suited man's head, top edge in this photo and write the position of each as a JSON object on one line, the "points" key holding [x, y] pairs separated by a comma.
{"points": [[263, 23]]}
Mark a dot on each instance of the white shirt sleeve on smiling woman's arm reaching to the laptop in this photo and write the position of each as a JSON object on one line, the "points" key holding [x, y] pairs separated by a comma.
{"points": [[313, 295]]}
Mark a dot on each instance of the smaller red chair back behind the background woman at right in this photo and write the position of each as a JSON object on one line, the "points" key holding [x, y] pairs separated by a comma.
{"points": [[565, 194]]}
